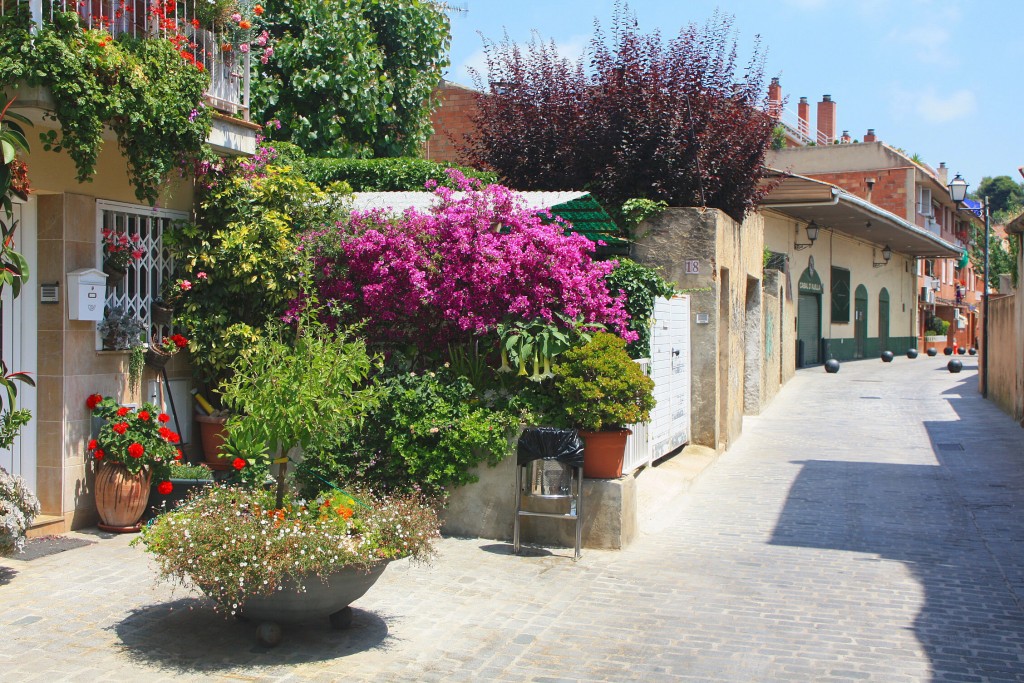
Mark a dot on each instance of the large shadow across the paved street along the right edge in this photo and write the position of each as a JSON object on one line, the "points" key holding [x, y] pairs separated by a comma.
{"points": [[957, 526]]}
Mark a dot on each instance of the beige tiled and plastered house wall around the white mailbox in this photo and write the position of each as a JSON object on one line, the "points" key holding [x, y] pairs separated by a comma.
{"points": [[70, 367]]}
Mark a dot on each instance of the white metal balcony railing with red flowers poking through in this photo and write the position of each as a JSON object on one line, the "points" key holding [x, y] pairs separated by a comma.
{"points": [[230, 70]]}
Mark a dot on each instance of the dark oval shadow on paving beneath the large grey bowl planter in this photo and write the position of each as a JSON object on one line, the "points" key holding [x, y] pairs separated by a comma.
{"points": [[188, 635]]}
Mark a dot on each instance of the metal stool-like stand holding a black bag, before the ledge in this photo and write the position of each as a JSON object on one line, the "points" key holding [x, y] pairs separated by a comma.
{"points": [[549, 466]]}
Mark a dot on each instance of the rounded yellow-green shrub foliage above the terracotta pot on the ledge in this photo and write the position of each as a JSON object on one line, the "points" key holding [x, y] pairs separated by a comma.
{"points": [[602, 388]]}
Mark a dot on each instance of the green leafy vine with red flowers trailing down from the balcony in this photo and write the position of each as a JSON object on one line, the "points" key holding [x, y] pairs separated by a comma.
{"points": [[148, 91]]}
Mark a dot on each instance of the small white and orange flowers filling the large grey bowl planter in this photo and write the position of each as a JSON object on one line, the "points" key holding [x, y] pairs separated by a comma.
{"points": [[234, 542]]}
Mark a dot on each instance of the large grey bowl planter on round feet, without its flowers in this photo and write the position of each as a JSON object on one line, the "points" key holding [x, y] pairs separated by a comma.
{"points": [[310, 599]]}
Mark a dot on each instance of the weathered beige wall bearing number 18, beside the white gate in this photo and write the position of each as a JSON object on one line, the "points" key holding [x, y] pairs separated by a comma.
{"points": [[718, 263]]}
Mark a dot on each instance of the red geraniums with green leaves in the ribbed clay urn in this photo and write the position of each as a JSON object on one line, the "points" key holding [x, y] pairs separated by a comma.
{"points": [[137, 439]]}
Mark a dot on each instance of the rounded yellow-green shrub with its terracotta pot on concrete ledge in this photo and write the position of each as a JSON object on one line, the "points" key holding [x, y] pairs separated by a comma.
{"points": [[603, 391]]}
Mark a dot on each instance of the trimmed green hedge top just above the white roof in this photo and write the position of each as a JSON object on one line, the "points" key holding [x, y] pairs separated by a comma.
{"points": [[383, 176]]}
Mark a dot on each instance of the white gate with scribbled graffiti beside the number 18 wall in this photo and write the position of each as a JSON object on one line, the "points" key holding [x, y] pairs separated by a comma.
{"points": [[671, 368]]}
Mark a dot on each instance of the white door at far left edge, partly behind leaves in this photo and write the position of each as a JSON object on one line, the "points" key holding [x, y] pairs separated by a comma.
{"points": [[19, 346]]}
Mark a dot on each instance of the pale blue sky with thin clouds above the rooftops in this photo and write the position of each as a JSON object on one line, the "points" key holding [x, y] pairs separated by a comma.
{"points": [[937, 78]]}
